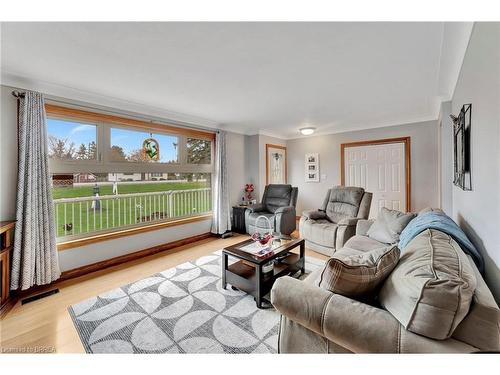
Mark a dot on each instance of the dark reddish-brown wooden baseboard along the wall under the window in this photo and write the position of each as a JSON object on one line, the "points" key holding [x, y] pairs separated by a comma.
{"points": [[84, 270]]}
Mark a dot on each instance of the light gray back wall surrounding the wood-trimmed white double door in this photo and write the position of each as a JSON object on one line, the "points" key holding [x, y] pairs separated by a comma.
{"points": [[424, 162]]}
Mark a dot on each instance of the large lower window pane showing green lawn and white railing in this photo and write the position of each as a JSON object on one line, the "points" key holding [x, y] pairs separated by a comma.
{"points": [[86, 203]]}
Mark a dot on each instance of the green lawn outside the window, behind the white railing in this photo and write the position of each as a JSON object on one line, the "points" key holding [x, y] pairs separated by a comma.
{"points": [[122, 211]]}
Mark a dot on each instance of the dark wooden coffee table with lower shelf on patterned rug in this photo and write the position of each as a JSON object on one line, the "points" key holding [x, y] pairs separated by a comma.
{"points": [[246, 274]]}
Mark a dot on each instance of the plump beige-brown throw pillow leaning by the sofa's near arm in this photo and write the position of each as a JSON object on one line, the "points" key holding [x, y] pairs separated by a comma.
{"points": [[354, 273]]}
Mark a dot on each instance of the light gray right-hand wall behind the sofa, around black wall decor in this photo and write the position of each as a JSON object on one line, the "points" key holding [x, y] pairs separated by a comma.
{"points": [[478, 211]]}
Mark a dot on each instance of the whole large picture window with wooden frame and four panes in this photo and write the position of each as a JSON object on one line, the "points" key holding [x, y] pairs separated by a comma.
{"points": [[111, 174]]}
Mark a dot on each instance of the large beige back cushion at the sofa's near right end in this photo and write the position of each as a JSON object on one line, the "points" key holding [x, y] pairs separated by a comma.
{"points": [[431, 289]]}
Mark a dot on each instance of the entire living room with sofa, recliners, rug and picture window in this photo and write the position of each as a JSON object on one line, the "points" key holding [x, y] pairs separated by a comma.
{"points": [[250, 187]]}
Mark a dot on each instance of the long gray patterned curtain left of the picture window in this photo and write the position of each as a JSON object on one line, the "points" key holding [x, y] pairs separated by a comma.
{"points": [[34, 258]]}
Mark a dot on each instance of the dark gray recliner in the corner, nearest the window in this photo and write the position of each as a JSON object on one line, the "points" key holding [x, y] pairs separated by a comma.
{"points": [[278, 205]]}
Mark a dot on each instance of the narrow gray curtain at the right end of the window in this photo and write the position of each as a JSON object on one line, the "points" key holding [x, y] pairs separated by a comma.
{"points": [[221, 218]]}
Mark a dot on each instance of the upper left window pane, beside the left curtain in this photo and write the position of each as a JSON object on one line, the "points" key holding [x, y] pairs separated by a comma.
{"points": [[71, 140]]}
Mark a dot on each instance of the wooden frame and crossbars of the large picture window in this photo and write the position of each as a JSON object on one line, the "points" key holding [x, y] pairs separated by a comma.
{"points": [[102, 164]]}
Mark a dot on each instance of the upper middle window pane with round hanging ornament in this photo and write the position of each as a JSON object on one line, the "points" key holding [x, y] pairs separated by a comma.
{"points": [[128, 145]]}
